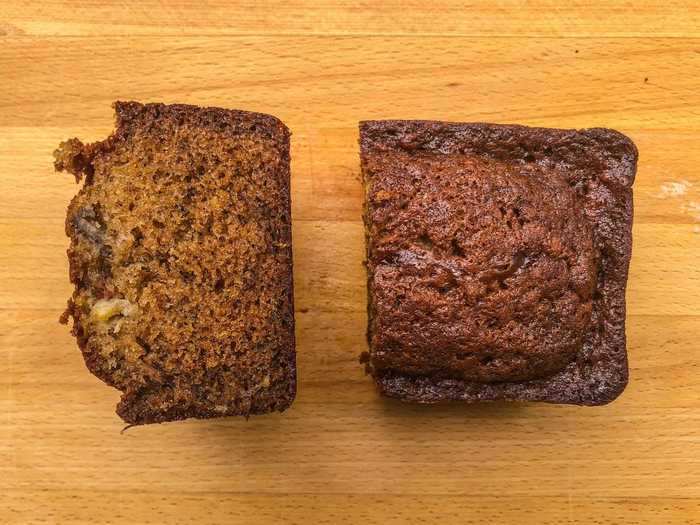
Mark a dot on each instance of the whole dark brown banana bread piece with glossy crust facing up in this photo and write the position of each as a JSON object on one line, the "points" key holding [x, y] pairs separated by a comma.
{"points": [[497, 261]]}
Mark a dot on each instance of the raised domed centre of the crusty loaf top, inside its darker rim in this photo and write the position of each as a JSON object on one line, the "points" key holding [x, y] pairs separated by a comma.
{"points": [[491, 269]]}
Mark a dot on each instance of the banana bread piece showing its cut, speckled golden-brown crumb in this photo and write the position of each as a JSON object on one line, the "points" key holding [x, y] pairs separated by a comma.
{"points": [[180, 253]]}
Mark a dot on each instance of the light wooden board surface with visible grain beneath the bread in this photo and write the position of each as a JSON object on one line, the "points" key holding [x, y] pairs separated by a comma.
{"points": [[342, 454]]}
